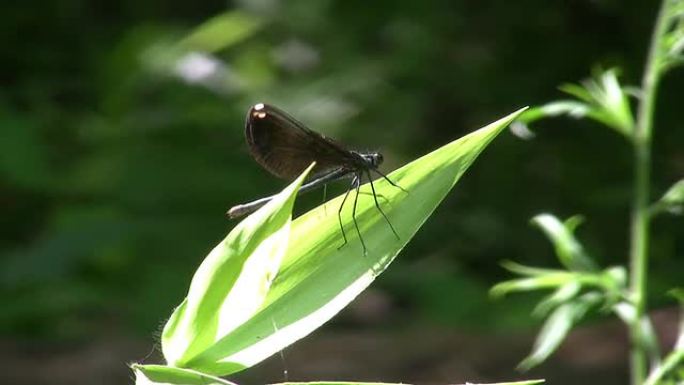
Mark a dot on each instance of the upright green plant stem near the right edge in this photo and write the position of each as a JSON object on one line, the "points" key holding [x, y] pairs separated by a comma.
{"points": [[640, 204]]}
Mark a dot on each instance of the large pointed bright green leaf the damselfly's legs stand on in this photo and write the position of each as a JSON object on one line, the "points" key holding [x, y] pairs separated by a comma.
{"points": [[318, 277]]}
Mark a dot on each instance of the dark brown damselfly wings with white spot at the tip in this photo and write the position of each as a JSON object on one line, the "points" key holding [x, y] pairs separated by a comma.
{"points": [[285, 147]]}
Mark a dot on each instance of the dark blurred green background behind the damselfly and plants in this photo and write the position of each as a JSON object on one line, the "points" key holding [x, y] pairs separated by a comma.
{"points": [[121, 147]]}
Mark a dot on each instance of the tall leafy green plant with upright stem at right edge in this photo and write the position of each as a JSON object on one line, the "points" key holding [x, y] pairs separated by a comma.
{"points": [[581, 286]]}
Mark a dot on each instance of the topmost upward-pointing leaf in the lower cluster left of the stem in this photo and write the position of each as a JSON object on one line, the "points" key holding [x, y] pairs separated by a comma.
{"points": [[569, 251]]}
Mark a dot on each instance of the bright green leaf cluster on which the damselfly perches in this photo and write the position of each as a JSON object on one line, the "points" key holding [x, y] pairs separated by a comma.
{"points": [[273, 281]]}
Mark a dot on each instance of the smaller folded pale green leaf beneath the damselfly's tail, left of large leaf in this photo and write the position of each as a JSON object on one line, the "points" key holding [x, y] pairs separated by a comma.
{"points": [[231, 284]]}
